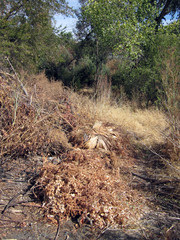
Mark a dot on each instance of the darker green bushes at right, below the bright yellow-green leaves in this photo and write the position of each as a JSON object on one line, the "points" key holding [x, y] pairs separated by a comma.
{"points": [[154, 78]]}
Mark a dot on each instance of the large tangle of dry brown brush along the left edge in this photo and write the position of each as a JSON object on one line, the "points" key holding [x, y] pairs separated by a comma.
{"points": [[30, 124]]}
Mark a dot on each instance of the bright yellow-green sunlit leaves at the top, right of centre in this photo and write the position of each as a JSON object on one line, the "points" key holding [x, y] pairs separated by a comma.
{"points": [[121, 25]]}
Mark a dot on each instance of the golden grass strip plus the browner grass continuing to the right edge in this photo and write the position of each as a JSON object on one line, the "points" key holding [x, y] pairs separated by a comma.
{"points": [[152, 129]]}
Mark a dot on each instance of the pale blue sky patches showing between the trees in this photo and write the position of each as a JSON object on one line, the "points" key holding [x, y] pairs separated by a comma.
{"points": [[68, 22]]}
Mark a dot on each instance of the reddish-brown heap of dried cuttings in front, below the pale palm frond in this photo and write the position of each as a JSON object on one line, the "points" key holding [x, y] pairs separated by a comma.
{"points": [[84, 186]]}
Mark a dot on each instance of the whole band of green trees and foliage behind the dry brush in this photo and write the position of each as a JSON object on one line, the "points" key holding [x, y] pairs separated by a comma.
{"points": [[124, 29]]}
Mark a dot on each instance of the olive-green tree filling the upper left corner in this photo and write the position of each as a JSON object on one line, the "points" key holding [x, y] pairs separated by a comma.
{"points": [[26, 29]]}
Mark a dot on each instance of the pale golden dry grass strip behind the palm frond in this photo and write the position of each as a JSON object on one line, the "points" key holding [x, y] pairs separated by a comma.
{"points": [[146, 126]]}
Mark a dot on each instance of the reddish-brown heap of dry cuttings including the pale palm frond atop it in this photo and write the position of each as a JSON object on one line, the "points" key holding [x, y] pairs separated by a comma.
{"points": [[87, 184]]}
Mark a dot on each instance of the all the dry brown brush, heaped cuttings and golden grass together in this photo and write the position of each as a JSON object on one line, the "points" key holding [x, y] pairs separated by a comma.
{"points": [[87, 184]]}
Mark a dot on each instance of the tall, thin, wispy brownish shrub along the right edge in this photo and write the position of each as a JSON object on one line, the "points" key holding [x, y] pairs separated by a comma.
{"points": [[170, 80]]}
